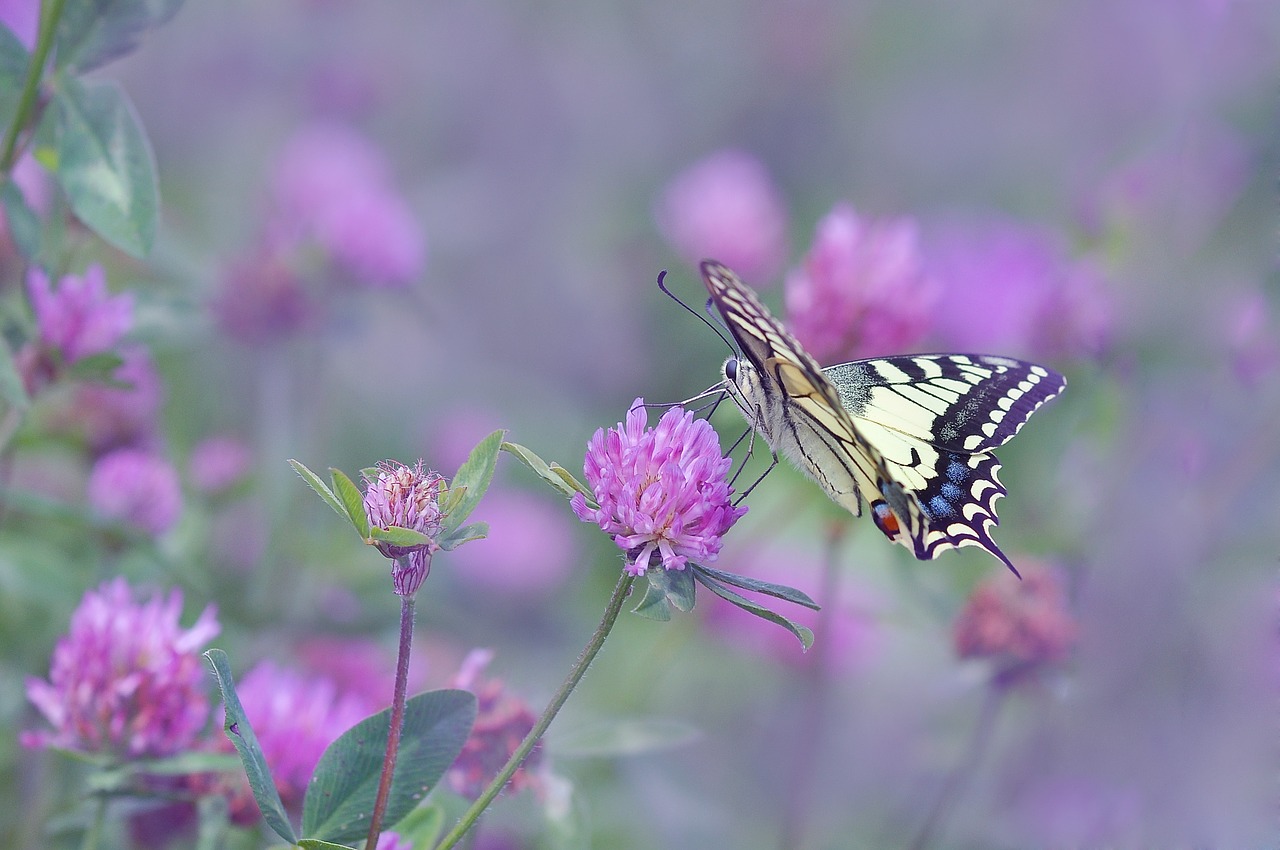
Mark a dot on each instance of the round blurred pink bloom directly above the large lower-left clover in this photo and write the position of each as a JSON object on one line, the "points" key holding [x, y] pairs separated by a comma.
{"points": [[136, 488]]}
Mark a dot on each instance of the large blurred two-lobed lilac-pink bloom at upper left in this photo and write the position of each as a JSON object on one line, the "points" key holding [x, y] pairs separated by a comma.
{"points": [[335, 189]]}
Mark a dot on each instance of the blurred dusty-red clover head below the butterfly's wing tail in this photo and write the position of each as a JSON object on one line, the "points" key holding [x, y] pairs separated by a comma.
{"points": [[1021, 625]]}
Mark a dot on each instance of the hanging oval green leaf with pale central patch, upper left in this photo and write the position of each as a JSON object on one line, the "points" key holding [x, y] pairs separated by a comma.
{"points": [[106, 164]]}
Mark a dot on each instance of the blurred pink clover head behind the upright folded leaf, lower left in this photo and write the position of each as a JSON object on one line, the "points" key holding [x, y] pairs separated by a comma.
{"points": [[295, 719]]}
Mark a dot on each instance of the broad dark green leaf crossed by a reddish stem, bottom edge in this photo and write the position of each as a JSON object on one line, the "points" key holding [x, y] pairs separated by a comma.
{"points": [[342, 790]]}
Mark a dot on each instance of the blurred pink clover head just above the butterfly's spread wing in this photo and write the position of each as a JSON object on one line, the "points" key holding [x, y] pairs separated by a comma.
{"points": [[862, 290]]}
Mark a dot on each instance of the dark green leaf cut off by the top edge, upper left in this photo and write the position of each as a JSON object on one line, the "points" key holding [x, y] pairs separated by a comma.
{"points": [[93, 33]]}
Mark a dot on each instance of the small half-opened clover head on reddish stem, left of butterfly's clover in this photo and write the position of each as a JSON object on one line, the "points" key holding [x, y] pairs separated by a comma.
{"points": [[409, 499]]}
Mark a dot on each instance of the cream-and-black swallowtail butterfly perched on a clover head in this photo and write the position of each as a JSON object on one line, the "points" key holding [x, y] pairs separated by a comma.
{"points": [[911, 435]]}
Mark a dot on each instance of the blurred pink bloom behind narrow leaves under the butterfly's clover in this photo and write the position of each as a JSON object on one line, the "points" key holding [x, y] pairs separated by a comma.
{"points": [[851, 634]]}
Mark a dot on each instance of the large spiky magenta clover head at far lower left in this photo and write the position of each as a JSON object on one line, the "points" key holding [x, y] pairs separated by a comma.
{"points": [[126, 679]]}
